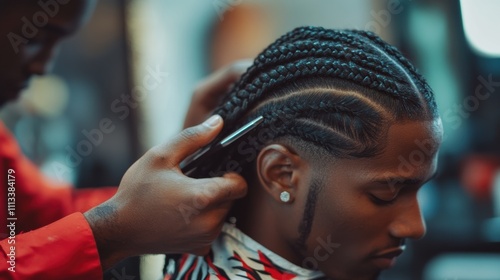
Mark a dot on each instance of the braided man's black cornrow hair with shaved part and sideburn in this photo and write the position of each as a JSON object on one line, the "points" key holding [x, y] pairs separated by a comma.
{"points": [[332, 92]]}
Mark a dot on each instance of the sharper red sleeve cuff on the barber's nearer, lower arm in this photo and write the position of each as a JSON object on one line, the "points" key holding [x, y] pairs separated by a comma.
{"points": [[62, 250]]}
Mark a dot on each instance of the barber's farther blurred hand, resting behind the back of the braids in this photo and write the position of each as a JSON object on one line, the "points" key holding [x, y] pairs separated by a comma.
{"points": [[210, 91]]}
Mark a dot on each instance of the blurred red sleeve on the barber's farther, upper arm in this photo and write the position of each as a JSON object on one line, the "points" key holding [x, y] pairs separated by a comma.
{"points": [[38, 200]]}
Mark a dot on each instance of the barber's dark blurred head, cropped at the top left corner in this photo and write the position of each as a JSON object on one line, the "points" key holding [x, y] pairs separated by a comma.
{"points": [[30, 32]]}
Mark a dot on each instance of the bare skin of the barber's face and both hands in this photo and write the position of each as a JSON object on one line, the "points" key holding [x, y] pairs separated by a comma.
{"points": [[153, 187]]}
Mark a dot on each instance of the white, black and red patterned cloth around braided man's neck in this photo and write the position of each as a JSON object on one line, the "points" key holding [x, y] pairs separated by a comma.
{"points": [[235, 255]]}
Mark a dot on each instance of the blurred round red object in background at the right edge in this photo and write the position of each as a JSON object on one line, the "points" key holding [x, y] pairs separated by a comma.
{"points": [[478, 173]]}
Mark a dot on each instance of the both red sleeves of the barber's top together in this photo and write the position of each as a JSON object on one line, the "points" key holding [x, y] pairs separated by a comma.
{"points": [[66, 248]]}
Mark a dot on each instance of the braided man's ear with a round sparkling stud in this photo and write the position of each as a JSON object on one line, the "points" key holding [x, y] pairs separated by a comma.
{"points": [[279, 170]]}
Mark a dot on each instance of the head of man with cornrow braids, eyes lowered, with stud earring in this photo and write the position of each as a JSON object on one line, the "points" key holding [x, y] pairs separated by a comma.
{"points": [[351, 132]]}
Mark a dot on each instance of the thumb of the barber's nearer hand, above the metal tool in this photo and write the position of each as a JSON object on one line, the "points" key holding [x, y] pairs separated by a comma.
{"points": [[193, 138]]}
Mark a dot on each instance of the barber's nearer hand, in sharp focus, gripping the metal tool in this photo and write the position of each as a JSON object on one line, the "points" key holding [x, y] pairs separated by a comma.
{"points": [[157, 209]]}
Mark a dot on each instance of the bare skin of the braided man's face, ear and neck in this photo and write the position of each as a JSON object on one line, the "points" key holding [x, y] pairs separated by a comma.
{"points": [[349, 213]]}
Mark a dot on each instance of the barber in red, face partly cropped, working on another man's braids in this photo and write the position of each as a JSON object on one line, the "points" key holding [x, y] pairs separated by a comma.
{"points": [[123, 221]]}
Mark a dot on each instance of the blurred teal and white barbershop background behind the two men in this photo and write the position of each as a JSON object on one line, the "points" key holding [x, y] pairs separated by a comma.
{"points": [[101, 74]]}
